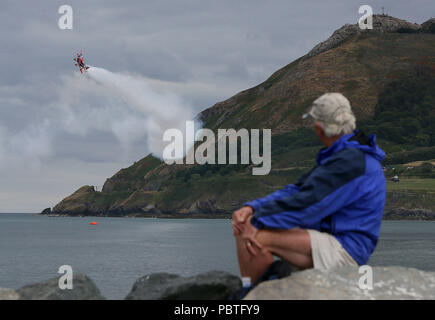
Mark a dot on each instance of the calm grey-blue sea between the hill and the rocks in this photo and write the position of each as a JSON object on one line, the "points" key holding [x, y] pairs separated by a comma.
{"points": [[119, 250]]}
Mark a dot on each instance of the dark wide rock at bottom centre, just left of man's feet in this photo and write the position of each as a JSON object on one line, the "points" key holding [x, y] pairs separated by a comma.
{"points": [[213, 285]]}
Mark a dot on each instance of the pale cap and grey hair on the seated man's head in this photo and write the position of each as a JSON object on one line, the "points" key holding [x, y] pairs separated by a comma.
{"points": [[334, 114]]}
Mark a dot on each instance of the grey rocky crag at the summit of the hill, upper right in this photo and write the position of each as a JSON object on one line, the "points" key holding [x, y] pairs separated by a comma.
{"points": [[381, 24]]}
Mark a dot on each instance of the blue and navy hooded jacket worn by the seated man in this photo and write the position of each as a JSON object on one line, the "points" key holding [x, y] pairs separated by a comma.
{"points": [[344, 195]]}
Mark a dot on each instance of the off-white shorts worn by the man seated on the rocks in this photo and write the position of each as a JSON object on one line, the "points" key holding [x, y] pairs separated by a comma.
{"points": [[327, 251]]}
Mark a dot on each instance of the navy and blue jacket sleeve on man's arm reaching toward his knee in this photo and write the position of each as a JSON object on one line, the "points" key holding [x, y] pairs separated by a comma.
{"points": [[328, 189]]}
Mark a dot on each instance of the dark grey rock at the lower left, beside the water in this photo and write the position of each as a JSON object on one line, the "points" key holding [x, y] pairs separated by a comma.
{"points": [[83, 289]]}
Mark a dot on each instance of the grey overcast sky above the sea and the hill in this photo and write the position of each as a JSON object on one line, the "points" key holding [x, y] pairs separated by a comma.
{"points": [[59, 131]]}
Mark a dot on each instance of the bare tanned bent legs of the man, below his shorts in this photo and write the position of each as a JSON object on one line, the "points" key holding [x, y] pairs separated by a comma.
{"points": [[291, 245]]}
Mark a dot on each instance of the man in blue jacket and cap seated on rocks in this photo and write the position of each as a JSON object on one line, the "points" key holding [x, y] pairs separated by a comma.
{"points": [[332, 215]]}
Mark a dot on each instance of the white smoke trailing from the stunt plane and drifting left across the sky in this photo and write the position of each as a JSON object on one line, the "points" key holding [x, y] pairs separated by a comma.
{"points": [[121, 105]]}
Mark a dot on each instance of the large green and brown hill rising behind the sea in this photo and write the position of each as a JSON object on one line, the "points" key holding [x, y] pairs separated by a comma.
{"points": [[388, 76]]}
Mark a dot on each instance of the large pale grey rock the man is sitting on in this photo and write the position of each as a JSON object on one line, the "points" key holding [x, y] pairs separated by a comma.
{"points": [[389, 283]]}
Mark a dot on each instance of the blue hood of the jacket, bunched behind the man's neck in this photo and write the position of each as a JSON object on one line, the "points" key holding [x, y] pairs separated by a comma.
{"points": [[358, 140]]}
